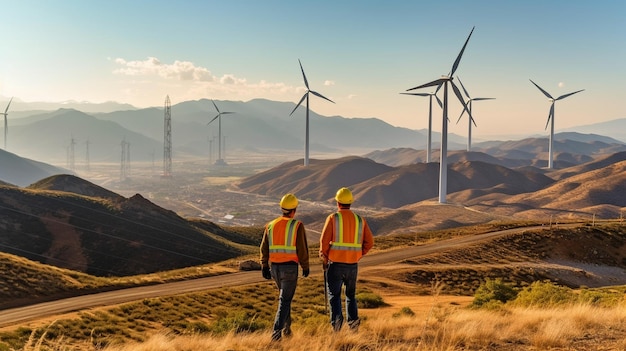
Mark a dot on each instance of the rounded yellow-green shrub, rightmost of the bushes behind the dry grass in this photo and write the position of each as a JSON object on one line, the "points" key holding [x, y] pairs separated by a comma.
{"points": [[544, 294]]}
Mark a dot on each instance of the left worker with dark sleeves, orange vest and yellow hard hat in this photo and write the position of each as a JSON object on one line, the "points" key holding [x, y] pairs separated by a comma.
{"points": [[283, 247]]}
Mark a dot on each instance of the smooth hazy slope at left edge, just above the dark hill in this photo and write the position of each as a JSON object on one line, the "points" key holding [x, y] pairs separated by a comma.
{"points": [[21, 171]]}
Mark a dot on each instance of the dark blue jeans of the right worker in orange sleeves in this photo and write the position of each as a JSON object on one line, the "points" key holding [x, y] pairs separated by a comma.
{"points": [[339, 274]]}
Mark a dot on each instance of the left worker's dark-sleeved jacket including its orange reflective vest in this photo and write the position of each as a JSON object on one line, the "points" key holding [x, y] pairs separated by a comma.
{"points": [[284, 240]]}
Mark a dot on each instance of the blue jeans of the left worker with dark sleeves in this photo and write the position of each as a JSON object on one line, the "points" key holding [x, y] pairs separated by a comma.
{"points": [[286, 278]]}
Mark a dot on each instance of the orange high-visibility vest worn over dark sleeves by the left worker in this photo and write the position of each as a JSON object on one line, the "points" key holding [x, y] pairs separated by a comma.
{"points": [[281, 234]]}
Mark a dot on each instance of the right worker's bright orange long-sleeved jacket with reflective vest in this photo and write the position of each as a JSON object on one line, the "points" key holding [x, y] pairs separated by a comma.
{"points": [[346, 237]]}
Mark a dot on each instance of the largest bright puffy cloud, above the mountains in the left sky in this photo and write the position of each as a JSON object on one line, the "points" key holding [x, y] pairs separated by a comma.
{"points": [[179, 70]]}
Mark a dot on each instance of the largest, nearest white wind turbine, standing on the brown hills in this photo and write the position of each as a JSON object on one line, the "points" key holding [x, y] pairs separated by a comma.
{"points": [[445, 81]]}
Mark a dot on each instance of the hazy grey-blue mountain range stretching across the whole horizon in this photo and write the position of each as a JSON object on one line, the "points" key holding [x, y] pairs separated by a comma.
{"points": [[257, 126]]}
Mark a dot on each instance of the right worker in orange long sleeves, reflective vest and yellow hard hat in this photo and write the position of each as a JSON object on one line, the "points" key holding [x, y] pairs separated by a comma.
{"points": [[346, 238]]}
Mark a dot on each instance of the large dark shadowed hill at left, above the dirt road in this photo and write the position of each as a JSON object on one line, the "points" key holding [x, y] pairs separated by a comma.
{"points": [[109, 235]]}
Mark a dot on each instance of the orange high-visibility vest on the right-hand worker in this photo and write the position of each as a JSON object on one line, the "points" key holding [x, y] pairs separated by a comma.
{"points": [[347, 244]]}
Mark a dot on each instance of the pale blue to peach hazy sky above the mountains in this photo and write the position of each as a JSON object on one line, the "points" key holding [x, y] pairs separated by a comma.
{"points": [[361, 54]]}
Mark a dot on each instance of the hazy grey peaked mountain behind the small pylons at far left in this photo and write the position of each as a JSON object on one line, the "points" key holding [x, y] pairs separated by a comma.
{"points": [[50, 138]]}
